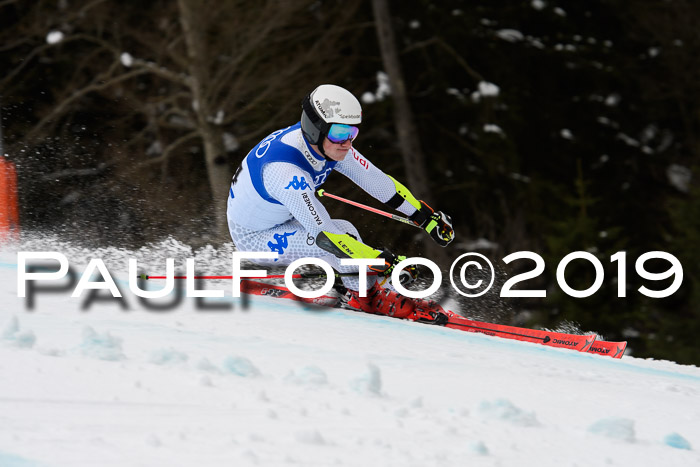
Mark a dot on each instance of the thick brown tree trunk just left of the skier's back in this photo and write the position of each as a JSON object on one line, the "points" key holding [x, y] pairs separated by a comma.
{"points": [[211, 134]]}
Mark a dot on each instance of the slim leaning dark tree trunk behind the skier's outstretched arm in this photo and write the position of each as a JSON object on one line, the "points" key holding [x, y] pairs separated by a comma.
{"points": [[411, 152]]}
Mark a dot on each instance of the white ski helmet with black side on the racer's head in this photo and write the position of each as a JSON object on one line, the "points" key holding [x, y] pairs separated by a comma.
{"points": [[326, 105]]}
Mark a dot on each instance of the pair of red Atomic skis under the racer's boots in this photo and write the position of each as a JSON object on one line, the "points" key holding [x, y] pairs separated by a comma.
{"points": [[581, 343]]}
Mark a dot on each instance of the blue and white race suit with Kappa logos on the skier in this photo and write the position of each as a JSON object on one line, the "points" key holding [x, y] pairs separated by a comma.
{"points": [[272, 205]]}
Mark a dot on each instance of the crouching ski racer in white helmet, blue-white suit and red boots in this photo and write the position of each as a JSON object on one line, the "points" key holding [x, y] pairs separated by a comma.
{"points": [[272, 205]]}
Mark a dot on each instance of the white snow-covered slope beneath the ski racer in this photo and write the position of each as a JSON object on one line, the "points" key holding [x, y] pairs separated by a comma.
{"points": [[279, 385]]}
